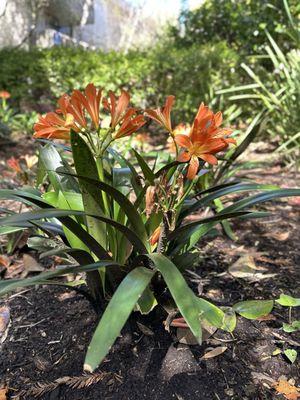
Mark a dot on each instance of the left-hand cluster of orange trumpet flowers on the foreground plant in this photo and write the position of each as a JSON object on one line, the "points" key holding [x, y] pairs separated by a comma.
{"points": [[74, 110]]}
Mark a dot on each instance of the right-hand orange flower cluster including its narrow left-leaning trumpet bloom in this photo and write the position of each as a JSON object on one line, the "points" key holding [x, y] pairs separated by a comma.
{"points": [[203, 140]]}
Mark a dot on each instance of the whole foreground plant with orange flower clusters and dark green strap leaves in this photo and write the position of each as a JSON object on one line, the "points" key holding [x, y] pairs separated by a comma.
{"points": [[125, 223]]}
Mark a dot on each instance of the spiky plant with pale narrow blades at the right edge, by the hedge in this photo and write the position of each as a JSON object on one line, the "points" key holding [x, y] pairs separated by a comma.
{"points": [[278, 93]]}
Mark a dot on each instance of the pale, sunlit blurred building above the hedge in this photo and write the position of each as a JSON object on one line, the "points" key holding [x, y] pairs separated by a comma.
{"points": [[105, 24]]}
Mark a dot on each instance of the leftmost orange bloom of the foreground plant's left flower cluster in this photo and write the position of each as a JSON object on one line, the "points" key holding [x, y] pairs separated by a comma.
{"points": [[52, 126]]}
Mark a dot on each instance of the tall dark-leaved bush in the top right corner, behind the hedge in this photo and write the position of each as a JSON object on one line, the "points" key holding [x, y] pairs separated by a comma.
{"points": [[241, 23]]}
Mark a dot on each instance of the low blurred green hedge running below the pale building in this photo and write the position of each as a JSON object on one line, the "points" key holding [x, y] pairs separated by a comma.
{"points": [[38, 76]]}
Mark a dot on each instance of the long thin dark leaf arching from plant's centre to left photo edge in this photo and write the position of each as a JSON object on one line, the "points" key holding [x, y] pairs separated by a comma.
{"points": [[15, 219]]}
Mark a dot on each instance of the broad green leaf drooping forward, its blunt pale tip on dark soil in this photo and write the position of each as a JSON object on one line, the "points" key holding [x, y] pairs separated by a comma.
{"points": [[115, 316]]}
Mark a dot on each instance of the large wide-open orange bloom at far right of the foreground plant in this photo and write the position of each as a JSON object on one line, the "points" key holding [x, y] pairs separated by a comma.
{"points": [[205, 139]]}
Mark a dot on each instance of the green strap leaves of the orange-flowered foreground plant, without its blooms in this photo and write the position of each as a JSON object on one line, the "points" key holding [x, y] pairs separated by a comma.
{"points": [[130, 270]]}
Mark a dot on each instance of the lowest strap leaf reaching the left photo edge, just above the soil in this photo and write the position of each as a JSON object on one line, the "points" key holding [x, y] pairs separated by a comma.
{"points": [[12, 284]]}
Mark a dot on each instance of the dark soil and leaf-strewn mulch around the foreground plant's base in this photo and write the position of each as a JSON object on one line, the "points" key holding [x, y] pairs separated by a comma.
{"points": [[51, 327]]}
